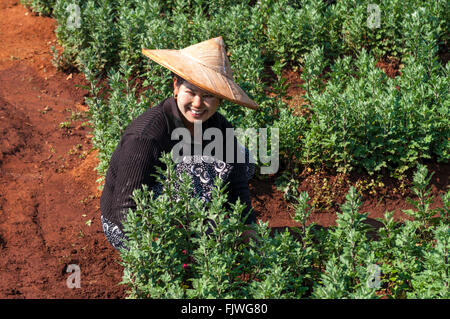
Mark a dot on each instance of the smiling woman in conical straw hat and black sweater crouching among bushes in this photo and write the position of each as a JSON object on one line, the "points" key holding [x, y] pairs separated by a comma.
{"points": [[202, 78]]}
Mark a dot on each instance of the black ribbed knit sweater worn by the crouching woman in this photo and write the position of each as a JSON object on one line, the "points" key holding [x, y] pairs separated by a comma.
{"points": [[137, 155]]}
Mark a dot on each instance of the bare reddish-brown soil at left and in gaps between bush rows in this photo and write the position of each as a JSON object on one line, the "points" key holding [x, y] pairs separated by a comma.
{"points": [[49, 202]]}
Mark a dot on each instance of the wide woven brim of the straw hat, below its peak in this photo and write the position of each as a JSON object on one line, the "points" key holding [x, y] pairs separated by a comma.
{"points": [[201, 76]]}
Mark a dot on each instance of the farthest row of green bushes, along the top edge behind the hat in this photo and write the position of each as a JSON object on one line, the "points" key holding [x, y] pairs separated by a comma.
{"points": [[283, 30]]}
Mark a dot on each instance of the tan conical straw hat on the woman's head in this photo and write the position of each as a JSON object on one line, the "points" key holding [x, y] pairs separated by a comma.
{"points": [[205, 65]]}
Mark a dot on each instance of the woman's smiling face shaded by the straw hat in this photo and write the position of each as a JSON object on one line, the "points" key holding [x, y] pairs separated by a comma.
{"points": [[194, 103]]}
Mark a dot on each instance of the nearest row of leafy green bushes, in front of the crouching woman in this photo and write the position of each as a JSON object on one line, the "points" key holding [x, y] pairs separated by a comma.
{"points": [[175, 253]]}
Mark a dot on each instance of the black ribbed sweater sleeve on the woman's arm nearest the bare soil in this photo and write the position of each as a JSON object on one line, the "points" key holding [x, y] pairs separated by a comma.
{"points": [[136, 162]]}
